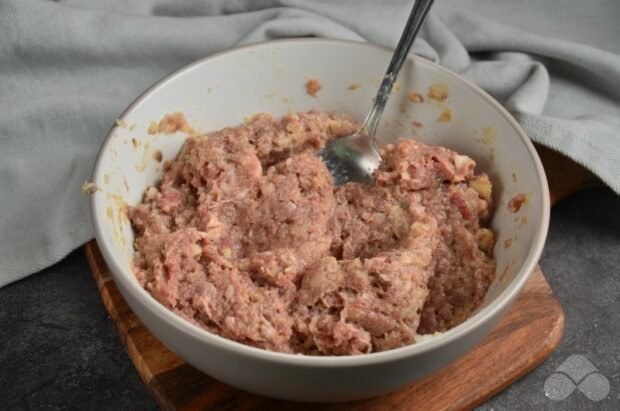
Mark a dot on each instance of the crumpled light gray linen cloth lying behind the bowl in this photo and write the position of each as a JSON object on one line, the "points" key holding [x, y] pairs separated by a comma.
{"points": [[69, 68]]}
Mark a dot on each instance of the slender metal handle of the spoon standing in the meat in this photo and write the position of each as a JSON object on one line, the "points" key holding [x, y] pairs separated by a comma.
{"points": [[416, 18]]}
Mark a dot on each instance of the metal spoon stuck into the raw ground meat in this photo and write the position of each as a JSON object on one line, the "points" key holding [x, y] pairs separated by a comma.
{"points": [[355, 157]]}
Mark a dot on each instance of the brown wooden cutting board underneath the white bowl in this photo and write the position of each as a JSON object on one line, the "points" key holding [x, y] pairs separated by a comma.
{"points": [[522, 339]]}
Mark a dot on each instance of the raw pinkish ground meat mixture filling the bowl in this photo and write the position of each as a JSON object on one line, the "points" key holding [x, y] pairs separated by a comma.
{"points": [[247, 237]]}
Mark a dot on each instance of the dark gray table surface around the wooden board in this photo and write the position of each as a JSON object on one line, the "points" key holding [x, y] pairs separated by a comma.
{"points": [[59, 349]]}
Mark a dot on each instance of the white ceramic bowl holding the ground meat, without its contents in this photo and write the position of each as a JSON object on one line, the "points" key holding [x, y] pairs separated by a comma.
{"points": [[220, 91]]}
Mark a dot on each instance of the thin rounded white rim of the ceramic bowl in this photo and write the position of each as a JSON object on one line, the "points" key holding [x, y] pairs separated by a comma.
{"points": [[501, 302]]}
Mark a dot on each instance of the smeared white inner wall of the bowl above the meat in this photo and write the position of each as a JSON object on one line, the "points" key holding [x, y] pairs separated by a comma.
{"points": [[270, 77]]}
